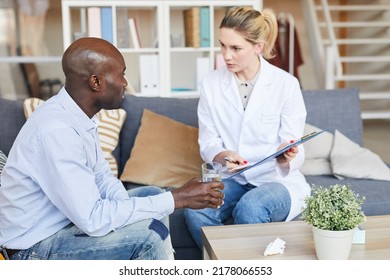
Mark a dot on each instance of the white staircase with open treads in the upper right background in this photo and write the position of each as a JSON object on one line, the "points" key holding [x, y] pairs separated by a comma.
{"points": [[350, 42]]}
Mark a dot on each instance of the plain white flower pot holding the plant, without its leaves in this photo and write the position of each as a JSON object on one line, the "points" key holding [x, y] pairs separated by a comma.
{"points": [[332, 245]]}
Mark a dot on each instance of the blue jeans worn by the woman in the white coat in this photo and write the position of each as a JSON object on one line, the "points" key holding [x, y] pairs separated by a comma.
{"points": [[247, 204]]}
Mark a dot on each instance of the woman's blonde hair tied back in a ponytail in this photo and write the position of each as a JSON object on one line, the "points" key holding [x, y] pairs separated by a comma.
{"points": [[254, 26]]}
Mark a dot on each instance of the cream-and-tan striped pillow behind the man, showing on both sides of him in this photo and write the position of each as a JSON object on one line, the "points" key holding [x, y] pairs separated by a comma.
{"points": [[109, 128]]}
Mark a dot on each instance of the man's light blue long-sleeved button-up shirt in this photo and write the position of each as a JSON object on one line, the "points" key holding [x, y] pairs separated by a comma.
{"points": [[56, 174]]}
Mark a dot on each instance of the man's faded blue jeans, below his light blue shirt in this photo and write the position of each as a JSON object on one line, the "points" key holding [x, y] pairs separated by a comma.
{"points": [[135, 241]]}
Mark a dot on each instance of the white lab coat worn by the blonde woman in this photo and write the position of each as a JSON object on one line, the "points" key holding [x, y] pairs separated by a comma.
{"points": [[275, 114]]}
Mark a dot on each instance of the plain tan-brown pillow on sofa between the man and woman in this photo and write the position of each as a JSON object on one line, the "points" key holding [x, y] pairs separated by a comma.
{"points": [[165, 153]]}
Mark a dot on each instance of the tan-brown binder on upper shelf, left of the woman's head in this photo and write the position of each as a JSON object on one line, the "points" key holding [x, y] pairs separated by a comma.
{"points": [[192, 27]]}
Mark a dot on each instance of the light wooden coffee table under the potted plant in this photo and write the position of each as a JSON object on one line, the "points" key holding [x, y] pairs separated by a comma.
{"points": [[246, 242]]}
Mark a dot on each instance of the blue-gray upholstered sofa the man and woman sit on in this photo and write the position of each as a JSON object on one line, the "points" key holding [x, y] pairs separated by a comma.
{"points": [[329, 110]]}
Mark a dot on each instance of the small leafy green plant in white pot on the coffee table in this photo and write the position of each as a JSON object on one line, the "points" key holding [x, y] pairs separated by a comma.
{"points": [[334, 212]]}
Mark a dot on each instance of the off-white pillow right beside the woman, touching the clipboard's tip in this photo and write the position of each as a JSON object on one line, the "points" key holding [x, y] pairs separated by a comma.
{"points": [[317, 152]]}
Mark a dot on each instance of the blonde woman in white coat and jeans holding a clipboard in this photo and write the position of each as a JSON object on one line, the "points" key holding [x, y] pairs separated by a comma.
{"points": [[247, 111]]}
